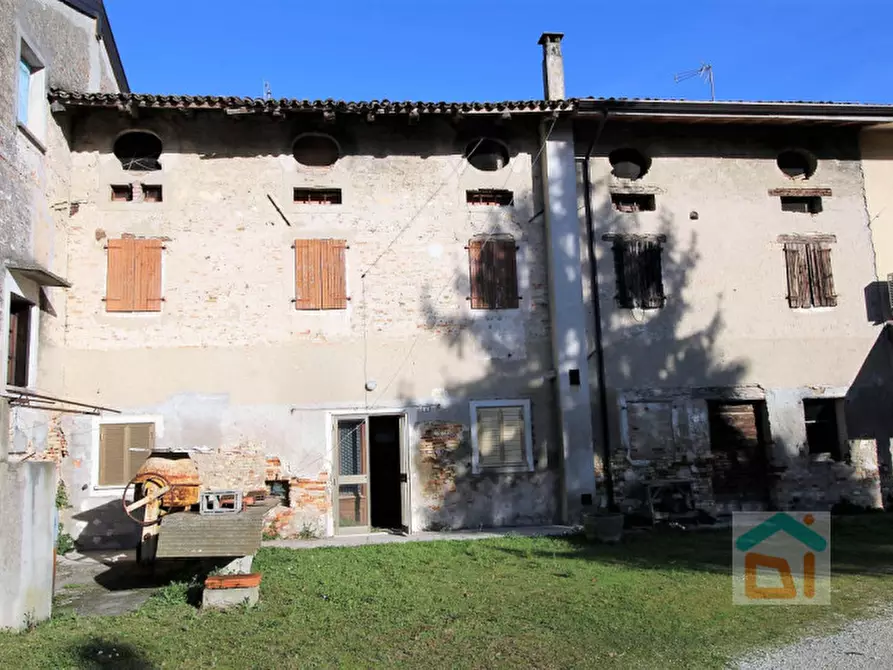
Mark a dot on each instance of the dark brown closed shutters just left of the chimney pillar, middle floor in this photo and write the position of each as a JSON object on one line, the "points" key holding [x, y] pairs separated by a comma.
{"points": [[494, 273]]}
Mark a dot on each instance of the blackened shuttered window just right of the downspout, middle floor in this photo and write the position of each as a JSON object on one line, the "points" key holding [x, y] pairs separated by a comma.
{"points": [[639, 273]]}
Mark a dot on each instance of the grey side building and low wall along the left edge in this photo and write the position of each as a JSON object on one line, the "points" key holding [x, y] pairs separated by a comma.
{"points": [[43, 44]]}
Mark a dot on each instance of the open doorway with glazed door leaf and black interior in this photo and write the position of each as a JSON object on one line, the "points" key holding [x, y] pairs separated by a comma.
{"points": [[372, 482]]}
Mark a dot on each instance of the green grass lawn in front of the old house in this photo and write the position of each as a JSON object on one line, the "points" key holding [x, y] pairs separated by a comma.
{"points": [[657, 600]]}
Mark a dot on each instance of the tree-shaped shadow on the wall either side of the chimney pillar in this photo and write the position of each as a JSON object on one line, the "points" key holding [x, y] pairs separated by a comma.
{"points": [[661, 349]]}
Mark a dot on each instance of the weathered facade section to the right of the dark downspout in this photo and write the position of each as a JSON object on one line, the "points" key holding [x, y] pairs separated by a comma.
{"points": [[731, 388]]}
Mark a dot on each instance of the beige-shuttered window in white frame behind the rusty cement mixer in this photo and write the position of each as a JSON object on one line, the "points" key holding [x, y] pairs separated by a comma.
{"points": [[121, 444]]}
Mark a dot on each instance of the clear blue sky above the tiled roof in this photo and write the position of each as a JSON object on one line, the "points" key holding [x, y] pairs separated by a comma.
{"points": [[487, 50]]}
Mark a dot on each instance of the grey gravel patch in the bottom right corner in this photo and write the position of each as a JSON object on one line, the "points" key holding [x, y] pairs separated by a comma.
{"points": [[862, 644]]}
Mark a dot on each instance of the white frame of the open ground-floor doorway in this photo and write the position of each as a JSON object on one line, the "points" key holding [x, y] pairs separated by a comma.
{"points": [[406, 416]]}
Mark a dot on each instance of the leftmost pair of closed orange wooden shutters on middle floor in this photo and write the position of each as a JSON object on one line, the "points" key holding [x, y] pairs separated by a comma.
{"points": [[133, 279]]}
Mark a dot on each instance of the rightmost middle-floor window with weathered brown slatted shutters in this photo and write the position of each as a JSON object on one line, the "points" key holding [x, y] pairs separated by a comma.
{"points": [[810, 280]]}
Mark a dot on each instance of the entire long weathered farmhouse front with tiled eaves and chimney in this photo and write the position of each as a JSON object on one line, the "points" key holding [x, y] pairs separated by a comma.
{"points": [[444, 315]]}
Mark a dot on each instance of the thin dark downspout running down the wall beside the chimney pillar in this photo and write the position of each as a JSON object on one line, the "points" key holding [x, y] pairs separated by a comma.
{"points": [[597, 316]]}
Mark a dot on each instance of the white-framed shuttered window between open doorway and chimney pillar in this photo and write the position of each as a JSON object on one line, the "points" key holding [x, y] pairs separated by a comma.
{"points": [[501, 437]]}
